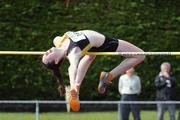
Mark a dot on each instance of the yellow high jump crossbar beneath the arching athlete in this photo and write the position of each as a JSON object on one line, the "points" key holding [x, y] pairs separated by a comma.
{"points": [[90, 53]]}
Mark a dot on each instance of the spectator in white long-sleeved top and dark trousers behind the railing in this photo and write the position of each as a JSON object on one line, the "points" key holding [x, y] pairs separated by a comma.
{"points": [[129, 88]]}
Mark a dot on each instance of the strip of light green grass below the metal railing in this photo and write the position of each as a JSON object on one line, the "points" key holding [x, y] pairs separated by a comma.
{"points": [[145, 115]]}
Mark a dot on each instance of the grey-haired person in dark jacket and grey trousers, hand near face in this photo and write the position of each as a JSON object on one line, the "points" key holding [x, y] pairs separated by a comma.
{"points": [[165, 84]]}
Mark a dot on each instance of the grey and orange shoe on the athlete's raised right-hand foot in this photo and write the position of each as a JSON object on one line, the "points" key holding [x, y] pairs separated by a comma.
{"points": [[104, 82]]}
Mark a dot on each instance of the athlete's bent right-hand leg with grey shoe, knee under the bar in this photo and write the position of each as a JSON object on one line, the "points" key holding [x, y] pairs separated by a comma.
{"points": [[129, 62]]}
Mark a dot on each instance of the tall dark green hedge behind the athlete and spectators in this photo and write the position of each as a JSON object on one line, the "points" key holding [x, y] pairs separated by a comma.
{"points": [[31, 25]]}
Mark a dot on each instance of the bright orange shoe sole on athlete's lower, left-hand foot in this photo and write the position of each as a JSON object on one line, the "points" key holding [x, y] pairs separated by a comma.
{"points": [[74, 100]]}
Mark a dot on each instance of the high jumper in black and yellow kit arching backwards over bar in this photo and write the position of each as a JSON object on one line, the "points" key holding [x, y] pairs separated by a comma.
{"points": [[74, 45]]}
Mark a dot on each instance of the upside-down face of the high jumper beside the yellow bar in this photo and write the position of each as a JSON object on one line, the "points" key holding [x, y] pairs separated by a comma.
{"points": [[51, 56]]}
